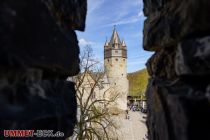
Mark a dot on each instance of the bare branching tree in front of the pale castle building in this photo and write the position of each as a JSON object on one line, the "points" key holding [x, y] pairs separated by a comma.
{"points": [[95, 98]]}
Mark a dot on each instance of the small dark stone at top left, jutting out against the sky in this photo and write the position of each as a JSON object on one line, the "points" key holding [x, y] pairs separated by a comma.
{"points": [[69, 14]]}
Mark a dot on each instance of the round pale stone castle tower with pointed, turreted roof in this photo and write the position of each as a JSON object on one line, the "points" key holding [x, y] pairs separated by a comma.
{"points": [[115, 64]]}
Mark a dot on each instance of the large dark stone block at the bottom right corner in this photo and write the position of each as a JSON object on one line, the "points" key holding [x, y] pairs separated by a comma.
{"points": [[177, 112]]}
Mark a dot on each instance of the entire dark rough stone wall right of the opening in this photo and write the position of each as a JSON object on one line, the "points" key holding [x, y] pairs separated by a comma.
{"points": [[178, 32]]}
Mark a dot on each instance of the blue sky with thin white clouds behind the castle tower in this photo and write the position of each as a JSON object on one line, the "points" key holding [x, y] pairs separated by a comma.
{"points": [[128, 17]]}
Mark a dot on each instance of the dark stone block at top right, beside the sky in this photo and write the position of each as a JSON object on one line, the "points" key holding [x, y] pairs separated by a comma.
{"points": [[169, 22]]}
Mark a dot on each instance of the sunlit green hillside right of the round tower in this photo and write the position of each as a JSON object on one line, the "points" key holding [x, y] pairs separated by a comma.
{"points": [[138, 82]]}
